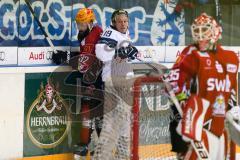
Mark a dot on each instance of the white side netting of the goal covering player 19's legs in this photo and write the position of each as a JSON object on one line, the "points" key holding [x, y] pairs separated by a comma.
{"points": [[114, 141]]}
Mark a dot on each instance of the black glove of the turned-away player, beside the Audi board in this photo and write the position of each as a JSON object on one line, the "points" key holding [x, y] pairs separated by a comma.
{"points": [[60, 57]]}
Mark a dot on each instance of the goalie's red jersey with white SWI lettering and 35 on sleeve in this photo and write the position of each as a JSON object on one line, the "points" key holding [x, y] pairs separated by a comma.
{"points": [[214, 76]]}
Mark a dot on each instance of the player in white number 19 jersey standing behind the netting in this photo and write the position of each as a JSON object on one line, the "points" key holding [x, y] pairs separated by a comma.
{"points": [[114, 50]]}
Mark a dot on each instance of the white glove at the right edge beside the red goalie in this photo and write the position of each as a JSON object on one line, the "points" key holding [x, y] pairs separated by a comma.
{"points": [[233, 124]]}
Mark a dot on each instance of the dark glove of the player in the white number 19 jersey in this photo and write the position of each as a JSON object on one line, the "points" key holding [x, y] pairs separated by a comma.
{"points": [[129, 52]]}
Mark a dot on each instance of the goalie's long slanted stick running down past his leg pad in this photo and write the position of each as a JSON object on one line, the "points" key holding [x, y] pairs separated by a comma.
{"points": [[198, 147]]}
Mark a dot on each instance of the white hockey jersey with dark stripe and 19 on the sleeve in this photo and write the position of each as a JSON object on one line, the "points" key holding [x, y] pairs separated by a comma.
{"points": [[111, 40]]}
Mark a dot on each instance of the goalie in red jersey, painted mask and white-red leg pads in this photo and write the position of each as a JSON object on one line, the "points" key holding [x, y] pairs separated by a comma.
{"points": [[204, 79]]}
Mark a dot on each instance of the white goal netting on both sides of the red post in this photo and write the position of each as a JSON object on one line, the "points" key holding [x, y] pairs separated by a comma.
{"points": [[116, 139]]}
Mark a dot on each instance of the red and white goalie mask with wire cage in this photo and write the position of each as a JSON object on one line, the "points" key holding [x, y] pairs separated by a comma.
{"points": [[205, 28]]}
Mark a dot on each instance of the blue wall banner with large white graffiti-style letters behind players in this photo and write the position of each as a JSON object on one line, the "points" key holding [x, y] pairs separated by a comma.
{"points": [[151, 23]]}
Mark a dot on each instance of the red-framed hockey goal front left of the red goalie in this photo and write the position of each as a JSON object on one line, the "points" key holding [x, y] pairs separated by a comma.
{"points": [[151, 107]]}
